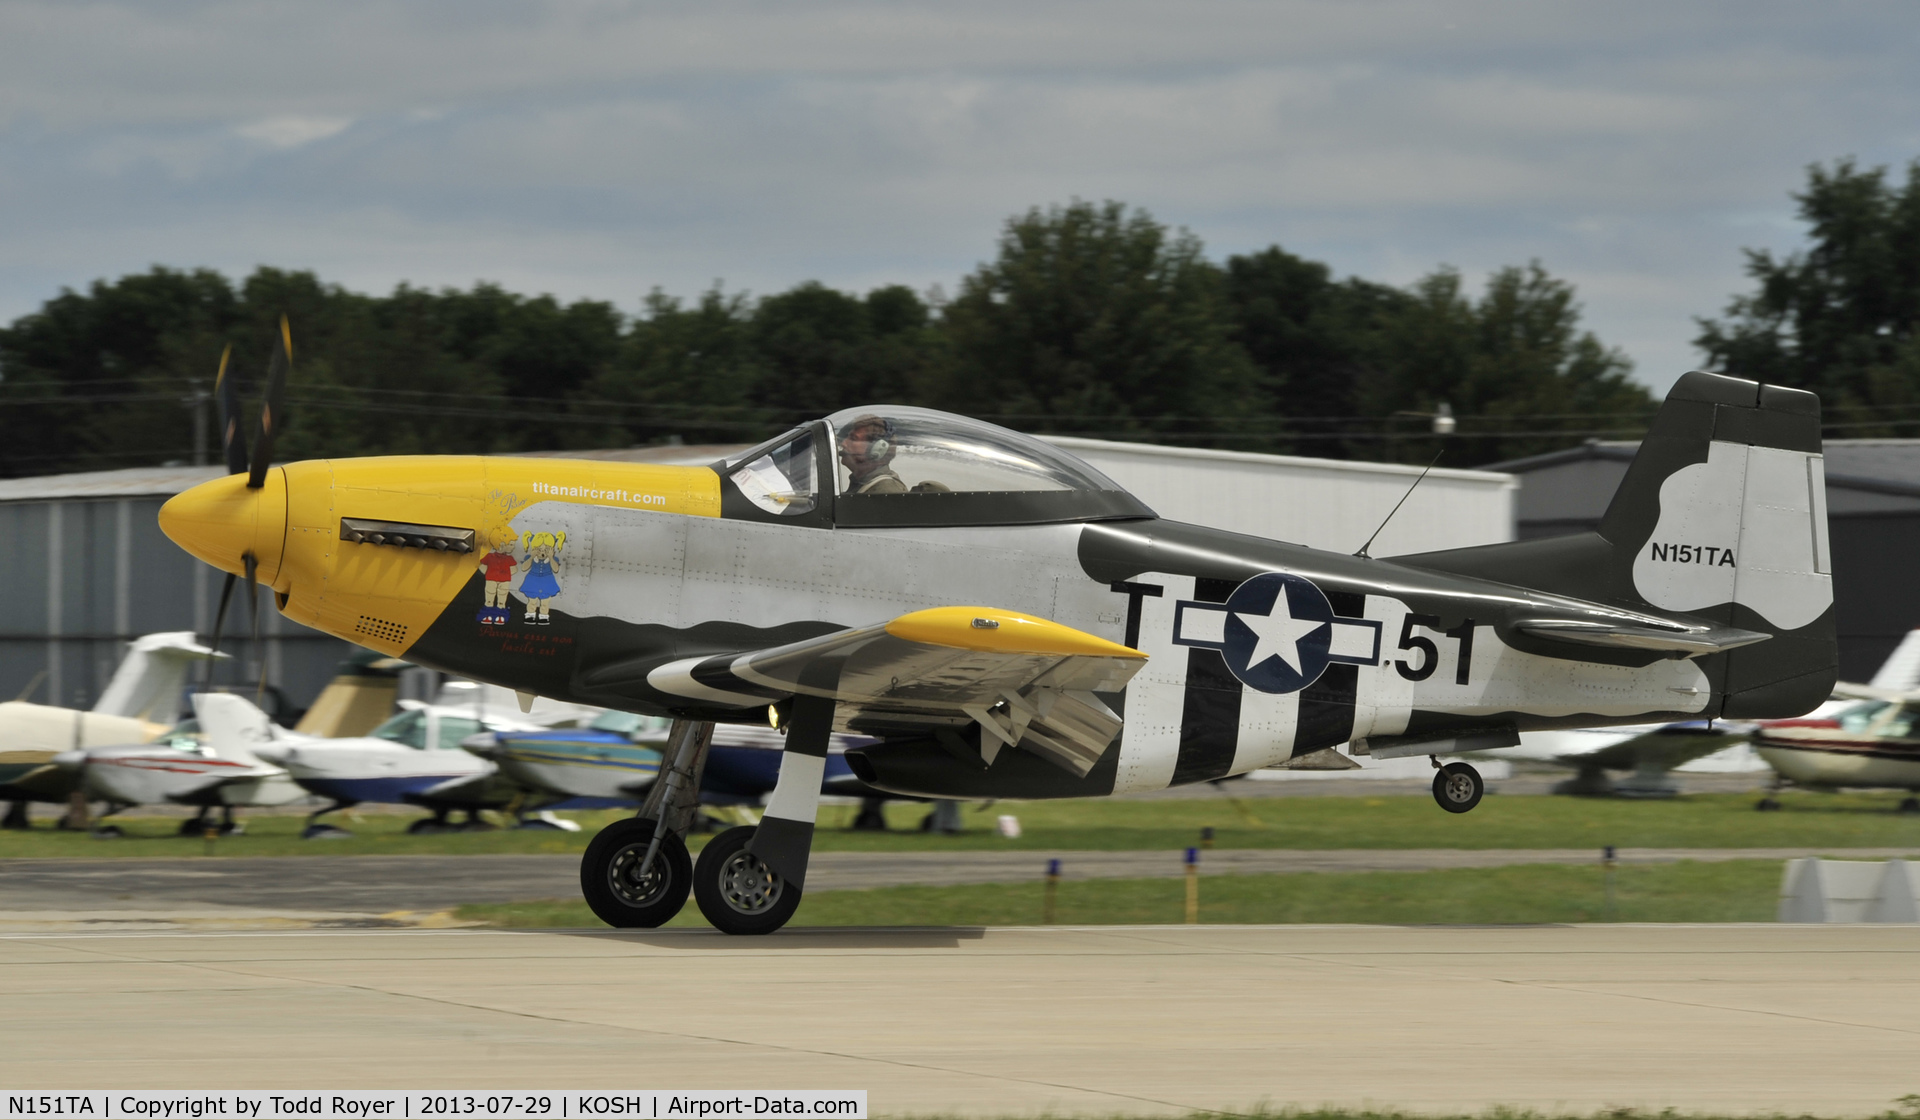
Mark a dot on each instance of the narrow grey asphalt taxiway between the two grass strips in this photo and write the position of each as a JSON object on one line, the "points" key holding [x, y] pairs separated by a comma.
{"points": [[379, 885]]}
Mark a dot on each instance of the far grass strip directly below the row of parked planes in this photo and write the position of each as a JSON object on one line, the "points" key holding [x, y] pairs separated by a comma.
{"points": [[1103, 825]]}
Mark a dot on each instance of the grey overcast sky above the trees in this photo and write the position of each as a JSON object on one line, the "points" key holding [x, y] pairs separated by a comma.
{"points": [[606, 149]]}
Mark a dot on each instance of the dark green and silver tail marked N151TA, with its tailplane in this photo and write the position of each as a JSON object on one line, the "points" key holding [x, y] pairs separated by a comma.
{"points": [[1721, 516]]}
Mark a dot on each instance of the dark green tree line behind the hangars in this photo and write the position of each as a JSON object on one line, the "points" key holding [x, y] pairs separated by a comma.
{"points": [[1090, 320]]}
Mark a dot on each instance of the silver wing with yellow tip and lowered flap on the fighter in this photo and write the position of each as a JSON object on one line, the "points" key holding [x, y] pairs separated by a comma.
{"points": [[1024, 681]]}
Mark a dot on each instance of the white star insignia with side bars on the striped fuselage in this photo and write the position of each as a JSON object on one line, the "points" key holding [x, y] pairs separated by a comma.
{"points": [[1278, 633]]}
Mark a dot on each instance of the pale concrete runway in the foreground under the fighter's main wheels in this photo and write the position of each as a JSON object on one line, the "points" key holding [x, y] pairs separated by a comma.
{"points": [[1070, 1021]]}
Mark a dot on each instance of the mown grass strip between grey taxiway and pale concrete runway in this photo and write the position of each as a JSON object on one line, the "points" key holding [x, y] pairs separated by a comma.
{"points": [[1679, 892]]}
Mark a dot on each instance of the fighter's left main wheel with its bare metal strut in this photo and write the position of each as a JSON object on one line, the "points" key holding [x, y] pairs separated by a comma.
{"points": [[636, 873]]}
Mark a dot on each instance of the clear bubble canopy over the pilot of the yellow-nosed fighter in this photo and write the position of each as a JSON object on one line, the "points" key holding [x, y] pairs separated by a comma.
{"points": [[909, 466]]}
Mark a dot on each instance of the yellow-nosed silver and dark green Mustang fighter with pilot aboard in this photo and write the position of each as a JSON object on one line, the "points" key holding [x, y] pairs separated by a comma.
{"points": [[1005, 621]]}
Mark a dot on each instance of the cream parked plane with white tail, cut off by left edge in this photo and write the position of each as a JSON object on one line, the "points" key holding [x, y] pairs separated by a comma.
{"points": [[141, 702]]}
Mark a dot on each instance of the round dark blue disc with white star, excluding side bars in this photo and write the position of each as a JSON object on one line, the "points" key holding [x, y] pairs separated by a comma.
{"points": [[1278, 633]]}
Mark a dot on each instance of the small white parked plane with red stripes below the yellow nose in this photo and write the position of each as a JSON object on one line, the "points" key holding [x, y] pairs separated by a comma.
{"points": [[216, 771]]}
